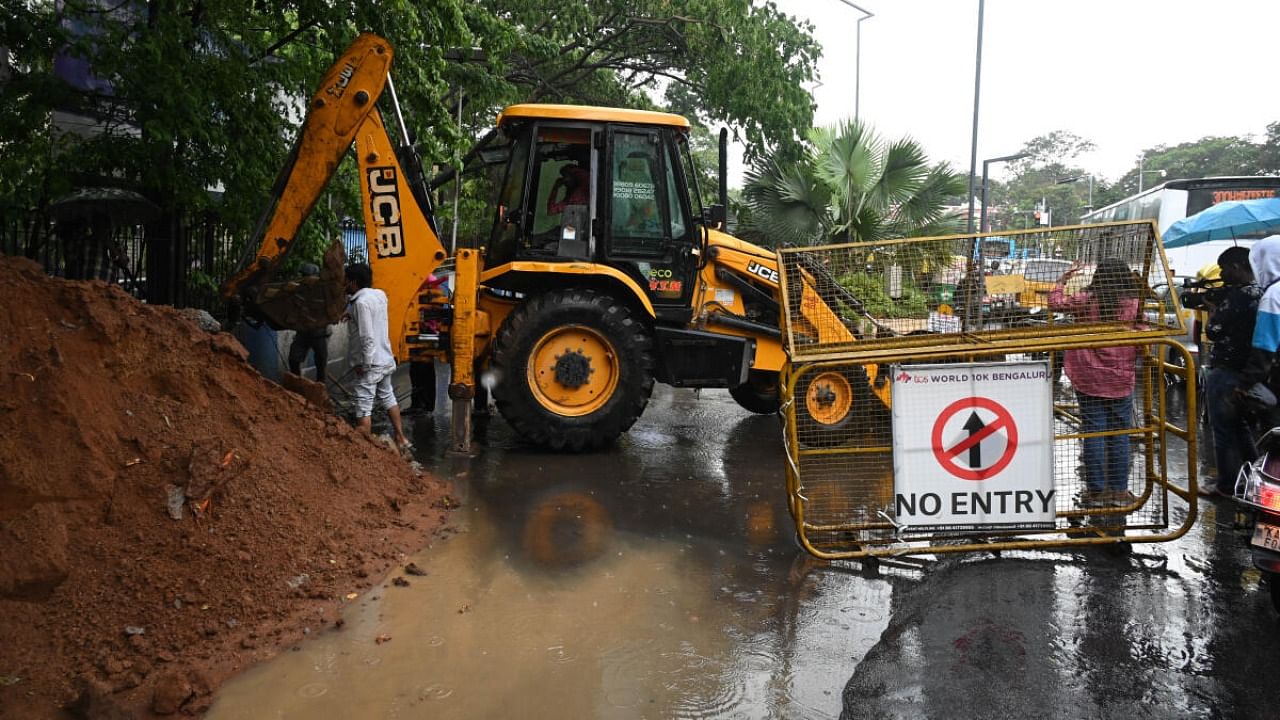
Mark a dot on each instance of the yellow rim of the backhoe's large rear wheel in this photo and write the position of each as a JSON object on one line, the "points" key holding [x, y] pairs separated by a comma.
{"points": [[573, 371]]}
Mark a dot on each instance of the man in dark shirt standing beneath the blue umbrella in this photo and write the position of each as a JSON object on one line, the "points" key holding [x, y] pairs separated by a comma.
{"points": [[1231, 330]]}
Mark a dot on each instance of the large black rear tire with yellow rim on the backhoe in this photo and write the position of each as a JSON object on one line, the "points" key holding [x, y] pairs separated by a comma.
{"points": [[575, 370]]}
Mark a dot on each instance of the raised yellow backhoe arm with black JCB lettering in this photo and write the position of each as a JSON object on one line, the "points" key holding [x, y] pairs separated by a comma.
{"points": [[404, 248]]}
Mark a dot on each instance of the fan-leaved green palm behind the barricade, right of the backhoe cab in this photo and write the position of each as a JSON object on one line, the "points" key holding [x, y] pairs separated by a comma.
{"points": [[852, 186]]}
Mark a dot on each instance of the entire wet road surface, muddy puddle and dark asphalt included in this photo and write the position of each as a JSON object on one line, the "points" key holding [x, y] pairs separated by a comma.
{"points": [[662, 580]]}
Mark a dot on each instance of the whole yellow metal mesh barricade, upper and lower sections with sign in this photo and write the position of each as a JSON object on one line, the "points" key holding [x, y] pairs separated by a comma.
{"points": [[854, 458]]}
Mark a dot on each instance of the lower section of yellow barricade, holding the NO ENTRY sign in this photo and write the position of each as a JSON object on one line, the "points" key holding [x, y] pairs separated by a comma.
{"points": [[993, 466]]}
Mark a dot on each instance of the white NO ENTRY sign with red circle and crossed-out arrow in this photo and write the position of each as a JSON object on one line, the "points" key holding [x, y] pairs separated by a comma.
{"points": [[973, 446]]}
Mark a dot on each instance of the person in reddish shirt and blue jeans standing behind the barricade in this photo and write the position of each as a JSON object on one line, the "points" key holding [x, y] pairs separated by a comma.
{"points": [[1104, 379]]}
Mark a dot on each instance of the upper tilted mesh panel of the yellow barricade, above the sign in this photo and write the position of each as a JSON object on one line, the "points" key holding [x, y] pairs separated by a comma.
{"points": [[967, 289]]}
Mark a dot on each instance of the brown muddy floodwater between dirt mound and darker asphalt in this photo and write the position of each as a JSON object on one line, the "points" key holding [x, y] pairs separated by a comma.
{"points": [[655, 580]]}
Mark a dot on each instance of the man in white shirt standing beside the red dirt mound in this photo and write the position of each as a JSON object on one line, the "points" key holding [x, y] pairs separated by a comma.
{"points": [[371, 352]]}
